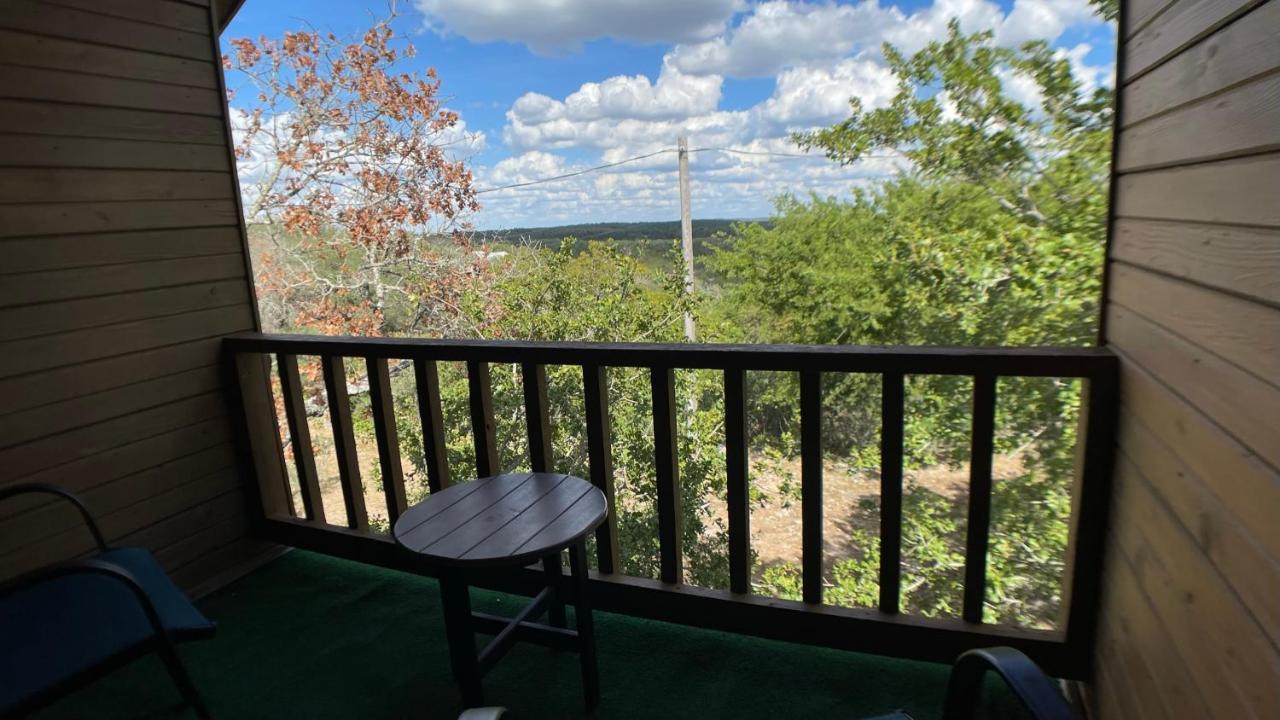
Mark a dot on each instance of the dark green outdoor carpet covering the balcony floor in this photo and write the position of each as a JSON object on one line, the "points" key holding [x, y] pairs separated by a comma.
{"points": [[317, 637]]}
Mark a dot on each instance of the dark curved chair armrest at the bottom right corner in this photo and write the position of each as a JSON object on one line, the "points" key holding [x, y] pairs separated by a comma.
{"points": [[1036, 691]]}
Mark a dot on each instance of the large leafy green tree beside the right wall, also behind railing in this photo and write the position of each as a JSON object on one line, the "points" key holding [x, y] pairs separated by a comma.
{"points": [[993, 236]]}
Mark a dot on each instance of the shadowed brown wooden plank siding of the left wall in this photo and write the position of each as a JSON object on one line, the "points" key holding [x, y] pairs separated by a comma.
{"points": [[122, 266]]}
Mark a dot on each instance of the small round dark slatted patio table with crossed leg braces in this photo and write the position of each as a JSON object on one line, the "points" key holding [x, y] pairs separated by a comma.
{"points": [[509, 522]]}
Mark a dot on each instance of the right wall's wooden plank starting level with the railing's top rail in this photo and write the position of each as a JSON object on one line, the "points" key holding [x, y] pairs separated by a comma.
{"points": [[1236, 400]]}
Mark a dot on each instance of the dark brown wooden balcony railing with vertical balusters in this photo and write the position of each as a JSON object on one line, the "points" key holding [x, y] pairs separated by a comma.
{"points": [[1066, 651]]}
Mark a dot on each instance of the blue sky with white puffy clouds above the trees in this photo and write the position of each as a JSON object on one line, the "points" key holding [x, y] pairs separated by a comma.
{"points": [[554, 86]]}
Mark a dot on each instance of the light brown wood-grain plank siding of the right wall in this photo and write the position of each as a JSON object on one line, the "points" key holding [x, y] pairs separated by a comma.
{"points": [[1192, 605]]}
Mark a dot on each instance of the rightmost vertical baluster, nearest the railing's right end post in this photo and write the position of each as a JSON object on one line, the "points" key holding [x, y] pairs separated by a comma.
{"points": [[980, 496]]}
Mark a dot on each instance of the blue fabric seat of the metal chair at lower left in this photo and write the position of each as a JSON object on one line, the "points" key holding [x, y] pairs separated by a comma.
{"points": [[60, 628]]}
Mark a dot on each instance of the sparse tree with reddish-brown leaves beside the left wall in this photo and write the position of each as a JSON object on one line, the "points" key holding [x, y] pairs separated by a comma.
{"points": [[358, 211]]}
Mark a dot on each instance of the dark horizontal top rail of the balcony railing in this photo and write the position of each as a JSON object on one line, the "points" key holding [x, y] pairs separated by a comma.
{"points": [[1011, 362]]}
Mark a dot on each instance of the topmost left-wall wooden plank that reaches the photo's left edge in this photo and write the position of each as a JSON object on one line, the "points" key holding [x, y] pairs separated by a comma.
{"points": [[77, 25]]}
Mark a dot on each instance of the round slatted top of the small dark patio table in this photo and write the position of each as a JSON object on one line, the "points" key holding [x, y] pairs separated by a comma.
{"points": [[502, 521]]}
